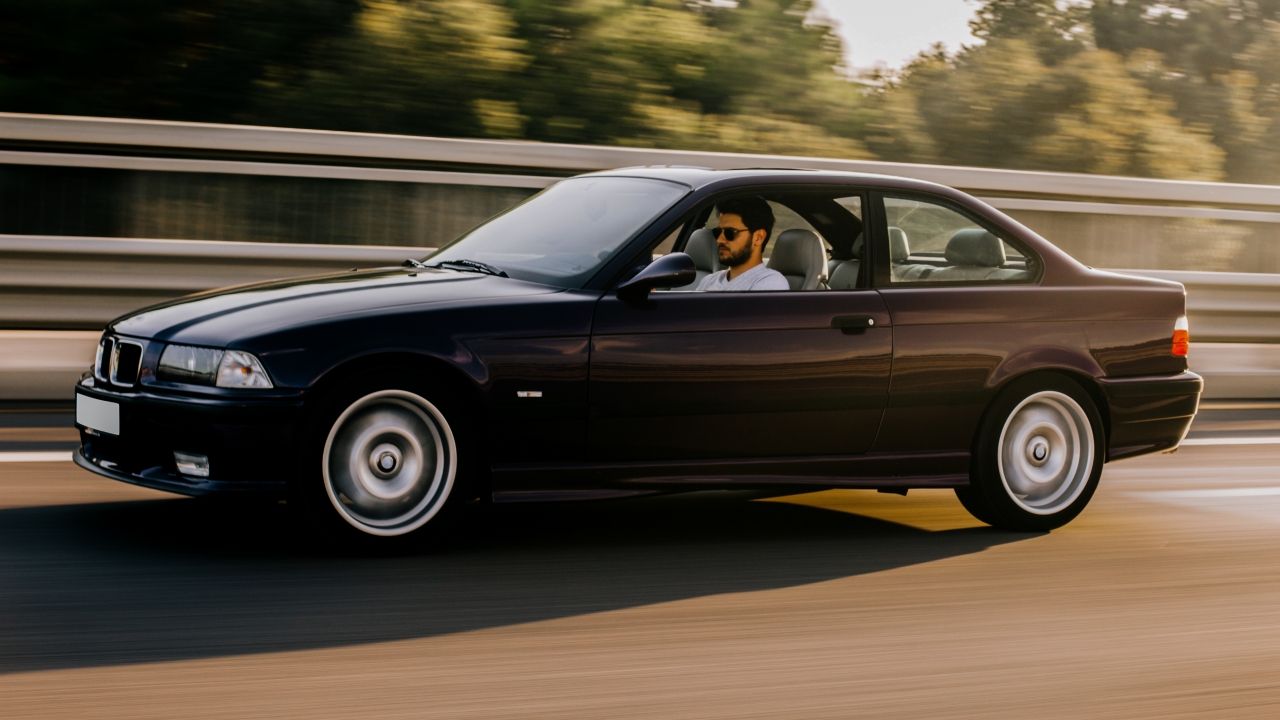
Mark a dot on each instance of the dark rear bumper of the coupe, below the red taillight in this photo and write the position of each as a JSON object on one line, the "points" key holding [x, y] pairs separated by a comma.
{"points": [[1150, 414]]}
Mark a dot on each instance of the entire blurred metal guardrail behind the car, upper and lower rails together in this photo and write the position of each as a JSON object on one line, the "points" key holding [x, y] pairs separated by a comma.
{"points": [[56, 293]]}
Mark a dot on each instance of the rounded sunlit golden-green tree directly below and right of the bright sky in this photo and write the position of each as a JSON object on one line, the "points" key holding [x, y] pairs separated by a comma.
{"points": [[1000, 106]]}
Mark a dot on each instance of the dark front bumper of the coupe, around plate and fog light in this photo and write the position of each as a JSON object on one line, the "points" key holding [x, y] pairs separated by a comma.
{"points": [[252, 444]]}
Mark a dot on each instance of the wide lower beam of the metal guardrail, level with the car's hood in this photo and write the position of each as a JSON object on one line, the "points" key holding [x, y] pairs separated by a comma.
{"points": [[83, 282]]}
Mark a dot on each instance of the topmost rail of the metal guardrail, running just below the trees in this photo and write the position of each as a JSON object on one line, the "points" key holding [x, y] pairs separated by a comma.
{"points": [[547, 158]]}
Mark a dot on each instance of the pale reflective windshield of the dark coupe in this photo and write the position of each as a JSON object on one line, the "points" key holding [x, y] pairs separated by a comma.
{"points": [[564, 235]]}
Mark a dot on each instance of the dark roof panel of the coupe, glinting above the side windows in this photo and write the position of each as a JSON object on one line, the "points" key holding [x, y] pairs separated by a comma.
{"points": [[697, 177]]}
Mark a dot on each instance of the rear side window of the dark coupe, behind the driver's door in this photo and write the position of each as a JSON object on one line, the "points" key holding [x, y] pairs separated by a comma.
{"points": [[930, 243]]}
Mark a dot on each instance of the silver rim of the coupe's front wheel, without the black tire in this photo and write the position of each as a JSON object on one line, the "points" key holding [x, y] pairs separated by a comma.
{"points": [[390, 463]]}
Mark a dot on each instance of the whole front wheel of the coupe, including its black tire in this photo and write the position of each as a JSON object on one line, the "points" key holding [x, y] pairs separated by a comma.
{"points": [[386, 461]]}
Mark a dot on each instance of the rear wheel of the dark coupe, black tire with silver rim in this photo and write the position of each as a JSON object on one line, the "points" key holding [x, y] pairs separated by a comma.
{"points": [[1037, 458]]}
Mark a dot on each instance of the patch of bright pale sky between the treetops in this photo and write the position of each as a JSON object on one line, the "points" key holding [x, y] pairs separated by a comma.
{"points": [[892, 33]]}
